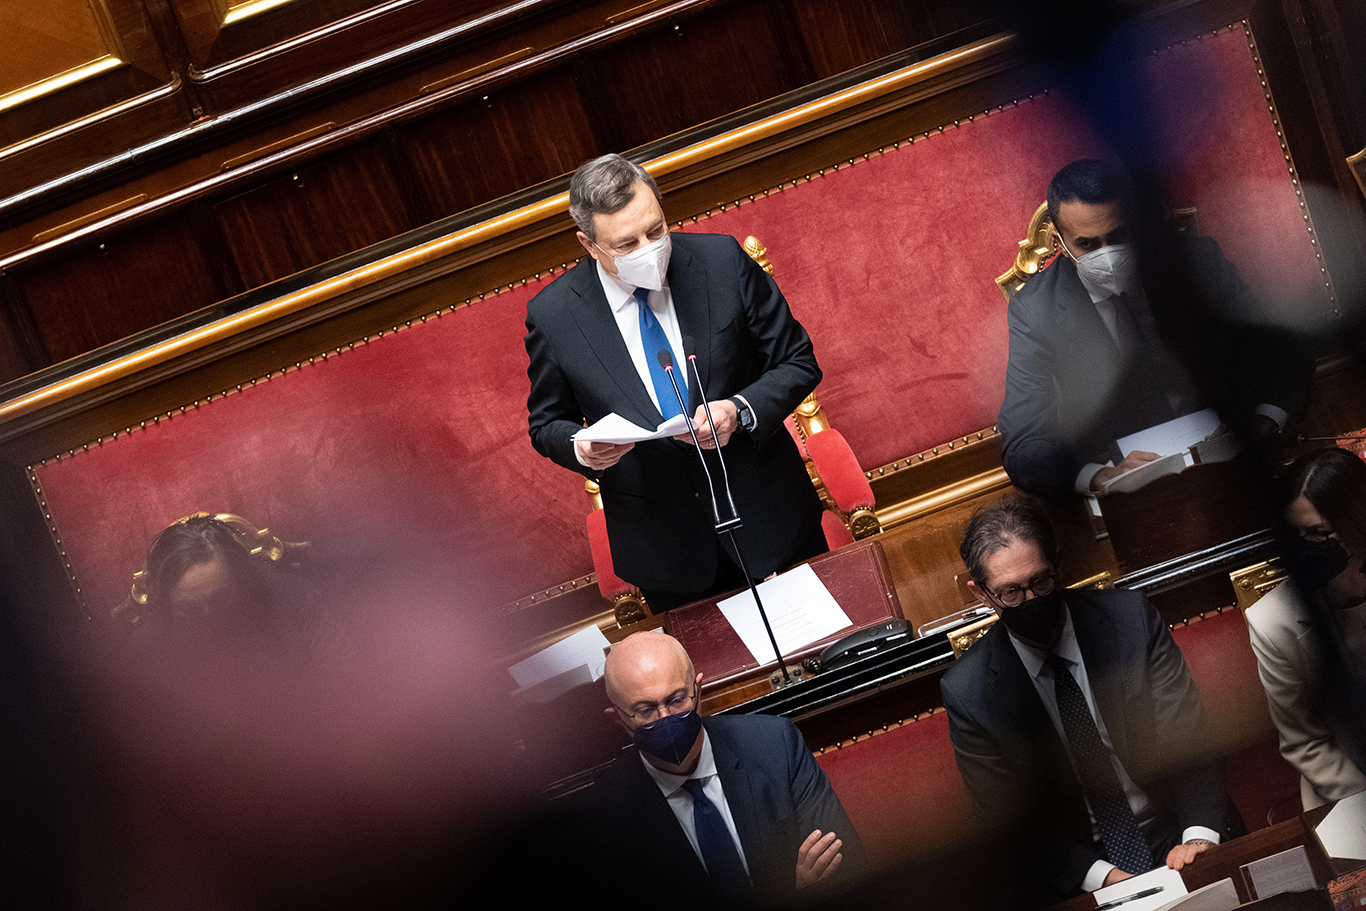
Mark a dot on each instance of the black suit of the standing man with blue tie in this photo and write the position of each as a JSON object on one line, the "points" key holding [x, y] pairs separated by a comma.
{"points": [[659, 514]]}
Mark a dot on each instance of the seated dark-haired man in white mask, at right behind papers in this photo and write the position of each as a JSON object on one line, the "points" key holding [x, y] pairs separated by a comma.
{"points": [[1089, 363]]}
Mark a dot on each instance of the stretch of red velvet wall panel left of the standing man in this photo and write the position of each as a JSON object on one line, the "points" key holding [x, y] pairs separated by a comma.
{"points": [[417, 435]]}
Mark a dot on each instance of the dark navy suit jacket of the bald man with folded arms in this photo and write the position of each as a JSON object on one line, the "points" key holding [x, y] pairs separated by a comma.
{"points": [[778, 796]]}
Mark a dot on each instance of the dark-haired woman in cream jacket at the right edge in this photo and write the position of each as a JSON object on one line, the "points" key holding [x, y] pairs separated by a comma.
{"points": [[1307, 652]]}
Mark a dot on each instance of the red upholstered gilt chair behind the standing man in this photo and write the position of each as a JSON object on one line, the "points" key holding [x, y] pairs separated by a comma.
{"points": [[830, 462]]}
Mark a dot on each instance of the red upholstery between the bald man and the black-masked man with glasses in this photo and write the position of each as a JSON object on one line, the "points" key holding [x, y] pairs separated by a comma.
{"points": [[904, 791]]}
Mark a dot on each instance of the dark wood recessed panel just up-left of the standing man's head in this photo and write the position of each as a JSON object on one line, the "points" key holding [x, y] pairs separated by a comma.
{"points": [[498, 145]]}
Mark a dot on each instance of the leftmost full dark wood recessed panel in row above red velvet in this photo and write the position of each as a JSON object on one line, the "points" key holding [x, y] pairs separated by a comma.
{"points": [[124, 286]]}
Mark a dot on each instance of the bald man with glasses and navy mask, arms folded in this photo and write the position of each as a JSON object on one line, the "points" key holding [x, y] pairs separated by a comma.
{"points": [[731, 809]]}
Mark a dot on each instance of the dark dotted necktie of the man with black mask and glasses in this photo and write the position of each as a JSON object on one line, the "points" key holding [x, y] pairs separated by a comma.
{"points": [[1125, 843]]}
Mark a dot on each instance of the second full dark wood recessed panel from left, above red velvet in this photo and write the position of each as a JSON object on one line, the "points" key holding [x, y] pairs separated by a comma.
{"points": [[315, 215]]}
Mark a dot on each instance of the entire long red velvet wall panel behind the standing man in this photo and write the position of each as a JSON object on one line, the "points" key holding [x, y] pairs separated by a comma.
{"points": [[890, 263]]}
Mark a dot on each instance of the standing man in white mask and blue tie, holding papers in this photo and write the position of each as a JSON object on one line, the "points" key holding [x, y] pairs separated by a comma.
{"points": [[594, 338]]}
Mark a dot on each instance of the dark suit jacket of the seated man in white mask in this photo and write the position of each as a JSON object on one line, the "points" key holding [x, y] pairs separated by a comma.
{"points": [[1070, 395]]}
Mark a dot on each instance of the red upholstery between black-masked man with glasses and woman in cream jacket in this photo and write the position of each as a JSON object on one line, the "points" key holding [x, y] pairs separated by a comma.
{"points": [[1225, 669]]}
